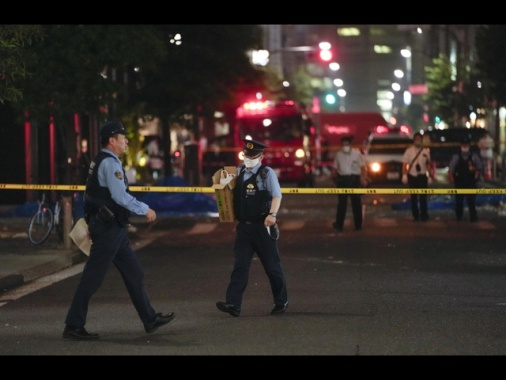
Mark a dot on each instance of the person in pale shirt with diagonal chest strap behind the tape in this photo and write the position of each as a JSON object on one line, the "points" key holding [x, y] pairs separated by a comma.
{"points": [[417, 168]]}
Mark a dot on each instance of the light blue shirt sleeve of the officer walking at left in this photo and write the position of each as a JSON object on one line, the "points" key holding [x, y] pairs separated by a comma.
{"points": [[110, 174]]}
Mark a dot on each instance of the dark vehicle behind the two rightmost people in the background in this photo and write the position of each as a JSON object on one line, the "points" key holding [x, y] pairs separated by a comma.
{"points": [[443, 143]]}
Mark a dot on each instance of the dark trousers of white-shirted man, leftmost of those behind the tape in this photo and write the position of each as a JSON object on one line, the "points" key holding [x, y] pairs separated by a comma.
{"points": [[349, 181]]}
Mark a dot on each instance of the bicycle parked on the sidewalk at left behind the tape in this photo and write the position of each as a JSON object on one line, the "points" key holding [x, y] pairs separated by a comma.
{"points": [[44, 220]]}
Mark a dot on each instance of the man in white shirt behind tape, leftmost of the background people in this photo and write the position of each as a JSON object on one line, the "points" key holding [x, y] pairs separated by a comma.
{"points": [[350, 172]]}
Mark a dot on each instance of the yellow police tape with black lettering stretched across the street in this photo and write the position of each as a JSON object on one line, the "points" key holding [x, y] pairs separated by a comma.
{"points": [[197, 189]]}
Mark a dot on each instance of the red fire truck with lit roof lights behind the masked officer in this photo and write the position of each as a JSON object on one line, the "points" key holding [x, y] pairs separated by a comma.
{"points": [[287, 130]]}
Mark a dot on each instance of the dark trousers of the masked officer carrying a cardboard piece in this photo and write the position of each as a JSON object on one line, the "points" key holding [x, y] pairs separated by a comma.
{"points": [[251, 238]]}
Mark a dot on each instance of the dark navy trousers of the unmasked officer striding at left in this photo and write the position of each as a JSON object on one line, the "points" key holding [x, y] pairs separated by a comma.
{"points": [[110, 244]]}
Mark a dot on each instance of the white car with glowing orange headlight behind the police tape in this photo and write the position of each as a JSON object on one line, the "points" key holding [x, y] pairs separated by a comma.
{"points": [[383, 155]]}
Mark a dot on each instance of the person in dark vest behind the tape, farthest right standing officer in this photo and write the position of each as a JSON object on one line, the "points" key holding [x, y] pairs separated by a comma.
{"points": [[465, 170]]}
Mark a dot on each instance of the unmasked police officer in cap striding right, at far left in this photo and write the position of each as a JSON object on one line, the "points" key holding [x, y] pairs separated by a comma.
{"points": [[107, 206]]}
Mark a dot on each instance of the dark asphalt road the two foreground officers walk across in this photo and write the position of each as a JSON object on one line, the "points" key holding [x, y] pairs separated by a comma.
{"points": [[395, 288]]}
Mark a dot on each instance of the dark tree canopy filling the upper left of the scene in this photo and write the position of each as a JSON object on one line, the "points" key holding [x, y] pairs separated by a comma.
{"points": [[84, 68]]}
